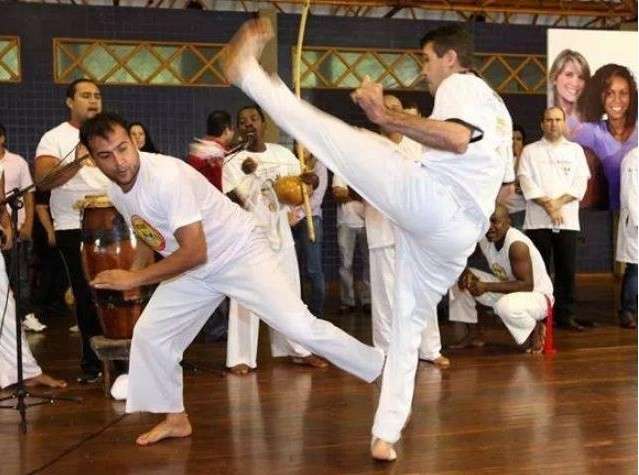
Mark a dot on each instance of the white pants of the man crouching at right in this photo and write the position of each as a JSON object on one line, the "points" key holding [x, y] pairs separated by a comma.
{"points": [[520, 311]]}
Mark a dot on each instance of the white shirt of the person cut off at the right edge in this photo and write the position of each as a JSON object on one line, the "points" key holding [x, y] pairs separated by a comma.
{"points": [[627, 234]]}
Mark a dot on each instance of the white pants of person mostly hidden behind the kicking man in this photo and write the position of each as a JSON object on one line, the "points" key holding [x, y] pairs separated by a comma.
{"points": [[382, 261]]}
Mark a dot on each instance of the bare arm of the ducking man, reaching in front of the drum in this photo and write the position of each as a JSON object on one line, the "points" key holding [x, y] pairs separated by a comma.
{"points": [[190, 253]]}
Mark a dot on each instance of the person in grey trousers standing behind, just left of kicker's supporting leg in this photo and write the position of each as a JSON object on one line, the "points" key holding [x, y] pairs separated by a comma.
{"points": [[351, 235]]}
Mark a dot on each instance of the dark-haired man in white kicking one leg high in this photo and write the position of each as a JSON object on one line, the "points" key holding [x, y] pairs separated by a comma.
{"points": [[439, 201]]}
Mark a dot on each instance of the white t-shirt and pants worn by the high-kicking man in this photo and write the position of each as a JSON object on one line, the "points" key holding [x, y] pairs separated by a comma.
{"points": [[440, 203]]}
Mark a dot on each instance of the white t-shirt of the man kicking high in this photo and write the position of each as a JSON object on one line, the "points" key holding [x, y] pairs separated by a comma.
{"points": [[476, 175]]}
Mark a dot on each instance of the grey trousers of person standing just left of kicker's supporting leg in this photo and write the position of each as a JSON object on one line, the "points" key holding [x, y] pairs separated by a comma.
{"points": [[348, 239]]}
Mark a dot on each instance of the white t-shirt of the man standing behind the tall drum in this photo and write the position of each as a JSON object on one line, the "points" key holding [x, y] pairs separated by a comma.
{"points": [[61, 143]]}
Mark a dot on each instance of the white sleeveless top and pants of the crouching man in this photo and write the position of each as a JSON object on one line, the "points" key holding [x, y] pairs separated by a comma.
{"points": [[520, 311]]}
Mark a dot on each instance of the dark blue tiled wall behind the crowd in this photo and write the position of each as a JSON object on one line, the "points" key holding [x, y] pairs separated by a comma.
{"points": [[176, 114]]}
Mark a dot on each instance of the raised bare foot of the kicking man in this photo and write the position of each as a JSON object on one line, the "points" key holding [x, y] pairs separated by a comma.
{"points": [[246, 45]]}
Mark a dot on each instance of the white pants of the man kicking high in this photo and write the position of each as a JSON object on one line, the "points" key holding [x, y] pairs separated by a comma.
{"points": [[436, 232]]}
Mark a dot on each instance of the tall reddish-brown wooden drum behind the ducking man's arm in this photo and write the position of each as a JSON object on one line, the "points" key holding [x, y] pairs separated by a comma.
{"points": [[108, 243]]}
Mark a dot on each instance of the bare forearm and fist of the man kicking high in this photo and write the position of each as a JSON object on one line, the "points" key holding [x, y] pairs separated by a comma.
{"points": [[441, 135]]}
